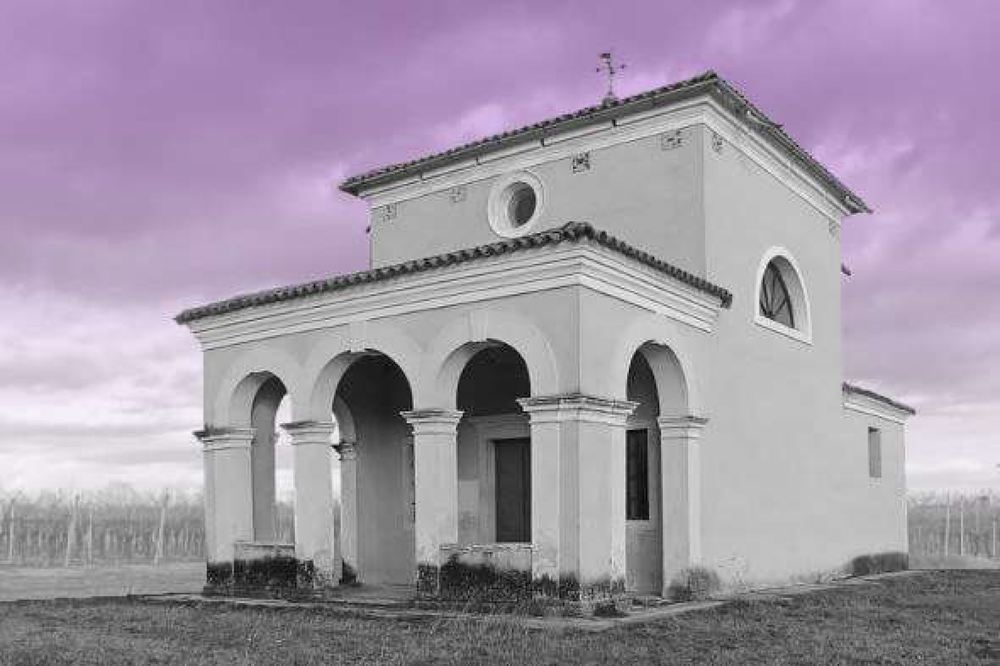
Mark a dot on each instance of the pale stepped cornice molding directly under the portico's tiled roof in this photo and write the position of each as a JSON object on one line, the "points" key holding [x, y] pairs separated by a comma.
{"points": [[583, 265]]}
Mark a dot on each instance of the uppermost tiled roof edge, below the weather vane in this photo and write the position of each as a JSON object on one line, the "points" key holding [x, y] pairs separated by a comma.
{"points": [[708, 81]]}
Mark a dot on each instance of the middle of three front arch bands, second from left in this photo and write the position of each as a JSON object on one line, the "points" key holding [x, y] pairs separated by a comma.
{"points": [[330, 359]]}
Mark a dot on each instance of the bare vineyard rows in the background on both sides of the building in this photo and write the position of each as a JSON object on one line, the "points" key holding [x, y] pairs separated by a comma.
{"points": [[119, 525]]}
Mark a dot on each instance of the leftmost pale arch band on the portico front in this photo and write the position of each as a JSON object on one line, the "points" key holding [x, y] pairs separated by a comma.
{"points": [[233, 401]]}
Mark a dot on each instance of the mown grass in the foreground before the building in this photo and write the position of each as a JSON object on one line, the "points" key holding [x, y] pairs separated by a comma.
{"points": [[928, 618]]}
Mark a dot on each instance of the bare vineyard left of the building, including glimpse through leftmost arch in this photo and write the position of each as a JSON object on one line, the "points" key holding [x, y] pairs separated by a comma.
{"points": [[116, 525]]}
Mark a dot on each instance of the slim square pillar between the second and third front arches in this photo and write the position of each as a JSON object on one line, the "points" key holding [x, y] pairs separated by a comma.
{"points": [[435, 469]]}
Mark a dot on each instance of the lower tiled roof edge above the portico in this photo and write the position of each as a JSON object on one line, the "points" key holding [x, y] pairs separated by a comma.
{"points": [[571, 231]]}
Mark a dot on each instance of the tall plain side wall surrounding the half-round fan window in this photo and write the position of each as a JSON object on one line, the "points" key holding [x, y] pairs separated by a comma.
{"points": [[782, 494]]}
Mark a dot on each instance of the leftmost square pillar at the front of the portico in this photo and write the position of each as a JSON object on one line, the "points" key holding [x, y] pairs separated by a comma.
{"points": [[228, 499]]}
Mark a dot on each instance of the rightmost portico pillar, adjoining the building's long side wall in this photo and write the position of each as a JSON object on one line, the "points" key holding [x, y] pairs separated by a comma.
{"points": [[680, 472]]}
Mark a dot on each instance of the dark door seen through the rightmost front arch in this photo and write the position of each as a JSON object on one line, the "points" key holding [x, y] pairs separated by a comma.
{"points": [[513, 489]]}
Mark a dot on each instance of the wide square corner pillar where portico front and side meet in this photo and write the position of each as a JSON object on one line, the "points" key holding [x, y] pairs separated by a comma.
{"points": [[578, 494]]}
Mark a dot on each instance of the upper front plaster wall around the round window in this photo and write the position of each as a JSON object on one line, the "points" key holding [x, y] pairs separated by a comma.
{"points": [[643, 194]]}
